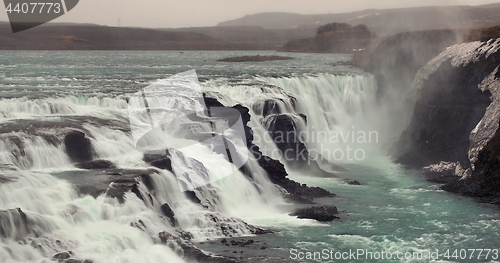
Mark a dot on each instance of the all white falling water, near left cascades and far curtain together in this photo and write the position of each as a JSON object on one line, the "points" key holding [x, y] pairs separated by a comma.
{"points": [[43, 214]]}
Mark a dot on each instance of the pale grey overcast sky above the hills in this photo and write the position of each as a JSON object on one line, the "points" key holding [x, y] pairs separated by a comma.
{"points": [[187, 13]]}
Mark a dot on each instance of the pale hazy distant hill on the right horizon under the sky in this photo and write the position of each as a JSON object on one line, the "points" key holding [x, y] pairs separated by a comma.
{"points": [[383, 22]]}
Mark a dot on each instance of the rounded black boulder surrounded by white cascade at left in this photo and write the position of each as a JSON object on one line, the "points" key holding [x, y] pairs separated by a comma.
{"points": [[78, 146]]}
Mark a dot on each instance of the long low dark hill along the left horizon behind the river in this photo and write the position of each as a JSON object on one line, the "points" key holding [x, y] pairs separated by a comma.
{"points": [[59, 36]]}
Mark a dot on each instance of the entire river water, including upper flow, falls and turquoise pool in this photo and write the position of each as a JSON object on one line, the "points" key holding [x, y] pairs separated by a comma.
{"points": [[45, 93]]}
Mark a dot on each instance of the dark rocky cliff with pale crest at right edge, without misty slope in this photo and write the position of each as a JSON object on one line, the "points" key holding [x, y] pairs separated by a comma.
{"points": [[456, 118]]}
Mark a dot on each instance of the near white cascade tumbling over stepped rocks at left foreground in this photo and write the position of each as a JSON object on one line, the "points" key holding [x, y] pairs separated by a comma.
{"points": [[46, 214]]}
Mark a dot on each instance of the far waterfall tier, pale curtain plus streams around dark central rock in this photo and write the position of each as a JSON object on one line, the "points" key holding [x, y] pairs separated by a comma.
{"points": [[335, 116]]}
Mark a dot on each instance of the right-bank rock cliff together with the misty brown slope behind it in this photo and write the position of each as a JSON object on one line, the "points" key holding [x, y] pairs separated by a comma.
{"points": [[453, 130]]}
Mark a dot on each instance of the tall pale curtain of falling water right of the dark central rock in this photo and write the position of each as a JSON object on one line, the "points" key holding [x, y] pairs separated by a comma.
{"points": [[338, 110]]}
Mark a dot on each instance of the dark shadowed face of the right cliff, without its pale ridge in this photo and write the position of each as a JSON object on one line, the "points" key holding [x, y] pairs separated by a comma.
{"points": [[451, 105]]}
